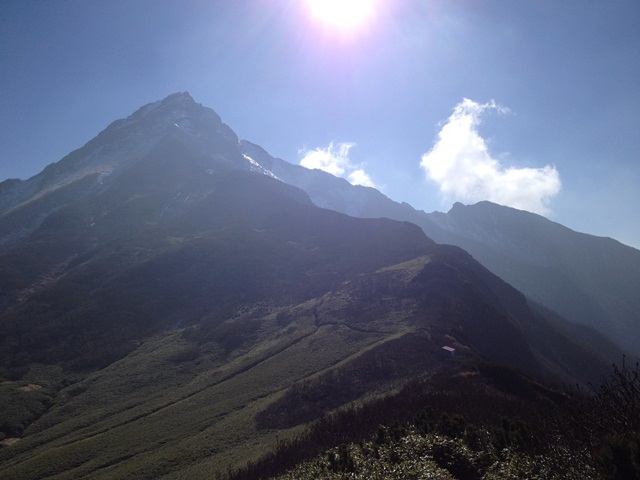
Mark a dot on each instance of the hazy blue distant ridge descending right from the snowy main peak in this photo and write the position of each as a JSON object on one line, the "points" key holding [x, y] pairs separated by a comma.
{"points": [[591, 281]]}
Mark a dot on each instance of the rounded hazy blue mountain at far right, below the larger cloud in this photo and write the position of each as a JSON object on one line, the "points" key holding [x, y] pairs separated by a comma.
{"points": [[591, 280]]}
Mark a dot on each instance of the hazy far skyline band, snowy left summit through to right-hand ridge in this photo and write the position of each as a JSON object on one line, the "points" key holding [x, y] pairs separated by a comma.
{"points": [[592, 281]]}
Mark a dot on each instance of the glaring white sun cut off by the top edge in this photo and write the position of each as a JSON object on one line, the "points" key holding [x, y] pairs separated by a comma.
{"points": [[343, 14]]}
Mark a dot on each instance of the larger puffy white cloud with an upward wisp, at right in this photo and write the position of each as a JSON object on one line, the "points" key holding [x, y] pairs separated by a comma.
{"points": [[465, 171]]}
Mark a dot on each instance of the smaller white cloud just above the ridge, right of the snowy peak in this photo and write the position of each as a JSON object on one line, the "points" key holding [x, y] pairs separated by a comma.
{"points": [[335, 160]]}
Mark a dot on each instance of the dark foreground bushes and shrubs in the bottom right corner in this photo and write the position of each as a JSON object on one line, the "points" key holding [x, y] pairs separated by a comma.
{"points": [[463, 430]]}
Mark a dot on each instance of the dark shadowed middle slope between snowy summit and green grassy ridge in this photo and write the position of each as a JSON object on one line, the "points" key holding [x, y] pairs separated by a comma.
{"points": [[143, 266]]}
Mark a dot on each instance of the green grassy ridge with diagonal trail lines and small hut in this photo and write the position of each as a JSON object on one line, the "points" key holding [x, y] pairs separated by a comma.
{"points": [[190, 401]]}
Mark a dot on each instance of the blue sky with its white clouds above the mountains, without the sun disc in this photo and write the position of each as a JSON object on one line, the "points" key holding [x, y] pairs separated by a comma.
{"points": [[534, 104]]}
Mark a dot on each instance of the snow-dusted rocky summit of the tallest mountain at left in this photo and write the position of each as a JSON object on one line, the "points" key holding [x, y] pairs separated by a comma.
{"points": [[176, 119]]}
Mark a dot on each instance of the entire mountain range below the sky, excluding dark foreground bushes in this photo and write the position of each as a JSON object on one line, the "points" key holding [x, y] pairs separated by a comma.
{"points": [[166, 286]]}
